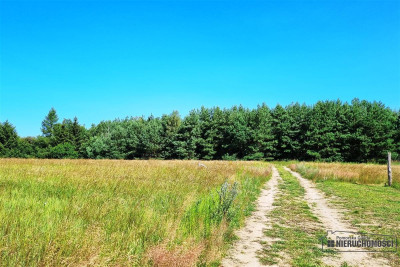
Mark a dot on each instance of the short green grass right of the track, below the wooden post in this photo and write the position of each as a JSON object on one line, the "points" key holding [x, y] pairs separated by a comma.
{"points": [[372, 209]]}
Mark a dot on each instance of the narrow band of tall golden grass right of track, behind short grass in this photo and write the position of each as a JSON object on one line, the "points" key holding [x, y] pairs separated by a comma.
{"points": [[348, 172]]}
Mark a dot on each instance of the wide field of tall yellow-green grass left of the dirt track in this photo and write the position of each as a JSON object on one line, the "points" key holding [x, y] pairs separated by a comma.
{"points": [[111, 212]]}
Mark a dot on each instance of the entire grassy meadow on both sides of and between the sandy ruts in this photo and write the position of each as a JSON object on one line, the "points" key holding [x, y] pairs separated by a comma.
{"points": [[176, 213]]}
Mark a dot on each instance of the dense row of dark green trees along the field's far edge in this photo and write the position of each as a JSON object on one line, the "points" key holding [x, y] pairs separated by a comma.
{"points": [[359, 131]]}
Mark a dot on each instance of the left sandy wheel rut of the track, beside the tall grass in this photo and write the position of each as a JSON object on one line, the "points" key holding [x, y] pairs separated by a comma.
{"points": [[244, 251]]}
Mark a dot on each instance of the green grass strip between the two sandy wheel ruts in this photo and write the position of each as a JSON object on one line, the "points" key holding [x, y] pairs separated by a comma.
{"points": [[296, 229]]}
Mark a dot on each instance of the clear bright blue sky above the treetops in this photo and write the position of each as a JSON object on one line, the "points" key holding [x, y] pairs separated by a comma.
{"points": [[101, 60]]}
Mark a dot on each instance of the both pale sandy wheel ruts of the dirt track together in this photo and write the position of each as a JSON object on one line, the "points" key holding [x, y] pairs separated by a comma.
{"points": [[246, 250]]}
